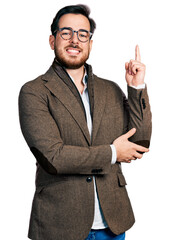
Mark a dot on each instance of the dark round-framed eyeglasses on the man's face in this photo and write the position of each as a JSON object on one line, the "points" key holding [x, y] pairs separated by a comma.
{"points": [[67, 34]]}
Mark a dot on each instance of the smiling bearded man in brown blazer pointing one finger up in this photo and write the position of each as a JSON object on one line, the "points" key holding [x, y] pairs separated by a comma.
{"points": [[80, 128]]}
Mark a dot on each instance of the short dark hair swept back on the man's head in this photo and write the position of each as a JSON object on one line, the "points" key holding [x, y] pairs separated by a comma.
{"points": [[75, 9]]}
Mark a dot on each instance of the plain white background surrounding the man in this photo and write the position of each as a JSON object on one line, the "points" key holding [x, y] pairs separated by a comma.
{"points": [[25, 54]]}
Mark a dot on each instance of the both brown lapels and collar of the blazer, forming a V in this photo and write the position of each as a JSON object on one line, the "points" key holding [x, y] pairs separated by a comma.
{"points": [[59, 82]]}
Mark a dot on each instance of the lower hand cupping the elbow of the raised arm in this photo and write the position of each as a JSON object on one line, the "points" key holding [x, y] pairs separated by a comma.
{"points": [[126, 150]]}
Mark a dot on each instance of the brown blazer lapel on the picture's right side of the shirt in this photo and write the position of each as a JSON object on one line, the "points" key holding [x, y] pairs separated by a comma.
{"points": [[99, 105]]}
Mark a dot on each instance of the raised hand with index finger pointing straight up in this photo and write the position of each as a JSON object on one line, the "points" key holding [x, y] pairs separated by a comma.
{"points": [[135, 70]]}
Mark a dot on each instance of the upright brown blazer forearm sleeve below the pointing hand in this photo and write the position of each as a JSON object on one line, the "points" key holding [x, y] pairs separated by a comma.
{"points": [[139, 116]]}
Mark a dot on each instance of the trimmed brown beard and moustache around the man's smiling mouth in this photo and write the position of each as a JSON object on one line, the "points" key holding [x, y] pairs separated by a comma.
{"points": [[70, 62]]}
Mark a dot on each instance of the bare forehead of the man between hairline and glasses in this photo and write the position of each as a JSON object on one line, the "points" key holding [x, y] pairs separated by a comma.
{"points": [[75, 21]]}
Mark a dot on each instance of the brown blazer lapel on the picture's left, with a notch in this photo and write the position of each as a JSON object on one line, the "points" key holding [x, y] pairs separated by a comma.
{"points": [[61, 91]]}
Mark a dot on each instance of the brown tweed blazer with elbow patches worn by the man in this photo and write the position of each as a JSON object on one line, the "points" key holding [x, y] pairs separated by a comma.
{"points": [[54, 125]]}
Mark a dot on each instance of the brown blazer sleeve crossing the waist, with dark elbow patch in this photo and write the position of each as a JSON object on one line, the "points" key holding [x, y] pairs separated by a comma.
{"points": [[43, 137]]}
